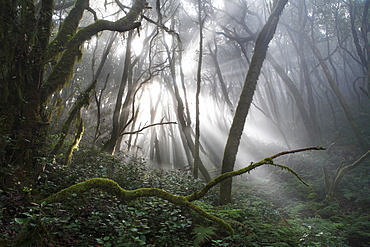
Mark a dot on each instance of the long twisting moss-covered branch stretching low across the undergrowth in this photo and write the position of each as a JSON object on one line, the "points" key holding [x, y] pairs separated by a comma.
{"points": [[114, 189]]}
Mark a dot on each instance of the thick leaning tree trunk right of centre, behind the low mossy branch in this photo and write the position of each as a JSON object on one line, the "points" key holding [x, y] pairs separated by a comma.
{"points": [[246, 97]]}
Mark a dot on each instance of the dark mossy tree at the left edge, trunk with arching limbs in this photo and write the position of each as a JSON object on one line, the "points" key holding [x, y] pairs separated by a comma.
{"points": [[25, 90]]}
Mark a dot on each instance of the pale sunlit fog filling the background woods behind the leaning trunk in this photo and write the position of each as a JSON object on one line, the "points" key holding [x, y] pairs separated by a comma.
{"points": [[293, 108]]}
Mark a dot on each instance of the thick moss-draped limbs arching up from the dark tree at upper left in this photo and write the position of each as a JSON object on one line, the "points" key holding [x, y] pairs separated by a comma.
{"points": [[70, 42]]}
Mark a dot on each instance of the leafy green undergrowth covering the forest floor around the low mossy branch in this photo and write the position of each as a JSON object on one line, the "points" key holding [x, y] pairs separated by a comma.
{"points": [[98, 219]]}
